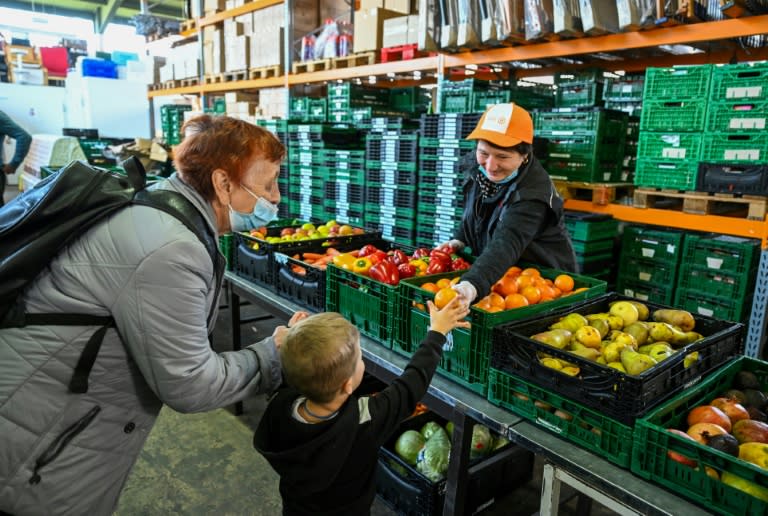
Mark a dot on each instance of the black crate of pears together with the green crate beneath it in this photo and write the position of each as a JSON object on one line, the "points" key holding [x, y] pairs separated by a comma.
{"points": [[592, 404]]}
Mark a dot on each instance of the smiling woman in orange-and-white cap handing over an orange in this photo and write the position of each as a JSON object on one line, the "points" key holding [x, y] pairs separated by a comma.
{"points": [[512, 211]]}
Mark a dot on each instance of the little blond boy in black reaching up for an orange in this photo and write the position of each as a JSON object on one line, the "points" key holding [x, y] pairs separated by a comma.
{"points": [[321, 439]]}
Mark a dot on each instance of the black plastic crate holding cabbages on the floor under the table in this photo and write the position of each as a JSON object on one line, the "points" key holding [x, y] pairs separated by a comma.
{"points": [[408, 492]]}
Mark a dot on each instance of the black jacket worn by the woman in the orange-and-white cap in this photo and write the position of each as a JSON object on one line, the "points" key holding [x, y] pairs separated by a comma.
{"points": [[522, 222]]}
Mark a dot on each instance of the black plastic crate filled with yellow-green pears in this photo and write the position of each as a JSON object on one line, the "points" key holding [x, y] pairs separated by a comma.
{"points": [[617, 395]]}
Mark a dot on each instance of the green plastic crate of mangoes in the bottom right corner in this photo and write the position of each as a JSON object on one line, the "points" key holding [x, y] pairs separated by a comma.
{"points": [[652, 444]]}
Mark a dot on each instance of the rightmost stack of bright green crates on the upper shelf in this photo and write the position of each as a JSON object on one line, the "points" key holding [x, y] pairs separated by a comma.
{"points": [[737, 119]]}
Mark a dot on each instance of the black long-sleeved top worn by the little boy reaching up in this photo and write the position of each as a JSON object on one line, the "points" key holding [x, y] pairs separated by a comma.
{"points": [[330, 468]]}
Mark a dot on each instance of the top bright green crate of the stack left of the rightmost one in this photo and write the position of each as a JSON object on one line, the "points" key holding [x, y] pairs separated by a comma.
{"points": [[678, 82]]}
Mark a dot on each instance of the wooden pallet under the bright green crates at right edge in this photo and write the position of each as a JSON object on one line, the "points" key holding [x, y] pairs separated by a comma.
{"points": [[702, 203]]}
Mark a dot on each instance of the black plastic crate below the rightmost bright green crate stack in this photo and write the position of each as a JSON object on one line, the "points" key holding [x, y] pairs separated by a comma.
{"points": [[735, 178]]}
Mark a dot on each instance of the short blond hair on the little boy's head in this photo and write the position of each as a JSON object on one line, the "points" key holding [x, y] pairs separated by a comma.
{"points": [[319, 354]]}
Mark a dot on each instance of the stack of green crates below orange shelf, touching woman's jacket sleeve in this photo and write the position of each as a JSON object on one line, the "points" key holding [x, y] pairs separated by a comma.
{"points": [[593, 236]]}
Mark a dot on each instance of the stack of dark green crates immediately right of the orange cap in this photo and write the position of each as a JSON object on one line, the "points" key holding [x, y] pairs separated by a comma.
{"points": [[583, 144]]}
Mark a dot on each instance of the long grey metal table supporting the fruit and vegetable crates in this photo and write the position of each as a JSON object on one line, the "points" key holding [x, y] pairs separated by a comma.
{"points": [[567, 463]]}
